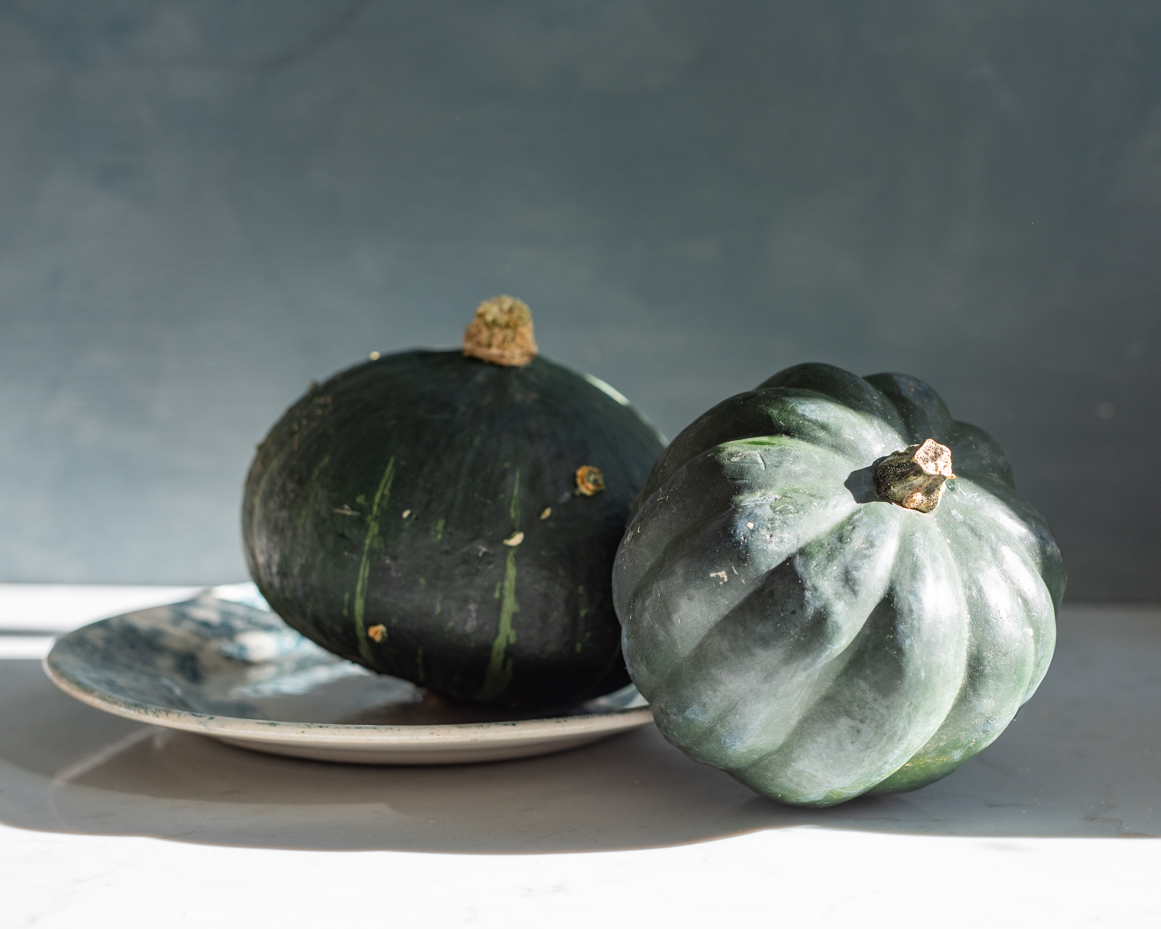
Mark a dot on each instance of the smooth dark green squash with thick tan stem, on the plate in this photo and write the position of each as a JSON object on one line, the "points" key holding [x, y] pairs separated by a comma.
{"points": [[452, 517]]}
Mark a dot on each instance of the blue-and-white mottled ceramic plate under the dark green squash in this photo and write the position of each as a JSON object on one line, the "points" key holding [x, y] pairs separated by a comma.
{"points": [[225, 666]]}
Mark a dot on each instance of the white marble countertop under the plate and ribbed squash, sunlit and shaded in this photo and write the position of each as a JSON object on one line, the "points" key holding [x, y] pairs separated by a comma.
{"points": [[105, 823]]}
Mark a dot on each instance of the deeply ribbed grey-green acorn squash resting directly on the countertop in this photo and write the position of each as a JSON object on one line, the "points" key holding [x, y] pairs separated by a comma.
{"points": [[832, 587]]}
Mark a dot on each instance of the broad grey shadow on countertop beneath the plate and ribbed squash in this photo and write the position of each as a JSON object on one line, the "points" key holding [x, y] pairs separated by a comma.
{"points": [[1084, 759]]}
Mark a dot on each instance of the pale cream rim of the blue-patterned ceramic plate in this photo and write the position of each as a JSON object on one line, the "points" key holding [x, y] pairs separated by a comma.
{"points": [[386, 736]]}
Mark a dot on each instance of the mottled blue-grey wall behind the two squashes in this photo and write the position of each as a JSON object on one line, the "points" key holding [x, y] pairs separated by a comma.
{"points": [[207, 204]]}
